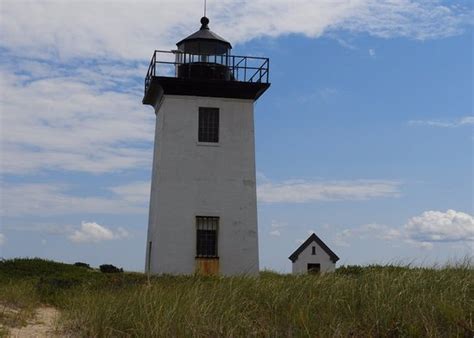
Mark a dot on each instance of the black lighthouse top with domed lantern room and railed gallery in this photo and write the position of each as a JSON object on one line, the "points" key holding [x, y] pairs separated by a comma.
{"points": [[202, 65]]}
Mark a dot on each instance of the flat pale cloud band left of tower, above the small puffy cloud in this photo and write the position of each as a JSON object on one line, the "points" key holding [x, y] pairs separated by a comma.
{"points": [[56, 199]]}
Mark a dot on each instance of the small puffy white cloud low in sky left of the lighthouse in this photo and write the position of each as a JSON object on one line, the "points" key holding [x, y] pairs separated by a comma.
{"points": [[91, 232]]}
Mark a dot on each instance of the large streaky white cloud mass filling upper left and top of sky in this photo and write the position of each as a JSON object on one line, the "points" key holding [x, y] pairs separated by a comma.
{"points": [[72, 101]]}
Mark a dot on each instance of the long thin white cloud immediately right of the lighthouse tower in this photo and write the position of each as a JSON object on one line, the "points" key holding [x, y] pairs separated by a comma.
{"points": [[309, 191]]}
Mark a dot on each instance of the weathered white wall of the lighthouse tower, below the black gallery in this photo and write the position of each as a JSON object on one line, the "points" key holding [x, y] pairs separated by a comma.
{"points": [[191, 179]]}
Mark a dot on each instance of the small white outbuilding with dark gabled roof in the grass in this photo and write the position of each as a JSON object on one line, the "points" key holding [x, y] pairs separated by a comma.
{"points": [[313, 256]]}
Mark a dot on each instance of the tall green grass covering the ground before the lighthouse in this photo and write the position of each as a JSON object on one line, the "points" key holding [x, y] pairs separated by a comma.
{"points": [[358, 301]]}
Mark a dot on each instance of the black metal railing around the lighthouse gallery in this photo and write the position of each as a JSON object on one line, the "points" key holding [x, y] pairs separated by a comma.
{"points": [[212, 67]]}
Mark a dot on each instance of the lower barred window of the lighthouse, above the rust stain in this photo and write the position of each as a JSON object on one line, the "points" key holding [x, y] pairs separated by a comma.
{"points": [[206, 239]]}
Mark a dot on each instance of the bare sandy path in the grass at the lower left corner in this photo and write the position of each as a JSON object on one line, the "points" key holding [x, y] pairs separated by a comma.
{"points": [[43, 324]]}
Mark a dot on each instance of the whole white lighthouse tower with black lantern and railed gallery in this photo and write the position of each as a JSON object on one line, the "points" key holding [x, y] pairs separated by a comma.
{"points": [[203, 206]]}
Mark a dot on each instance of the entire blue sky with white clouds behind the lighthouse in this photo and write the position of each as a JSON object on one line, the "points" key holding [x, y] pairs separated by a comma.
{"points": [[365, 136]]}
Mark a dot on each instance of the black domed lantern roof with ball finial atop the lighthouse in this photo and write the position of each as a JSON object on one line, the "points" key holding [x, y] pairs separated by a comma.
{"points": [[204, 41]]}
